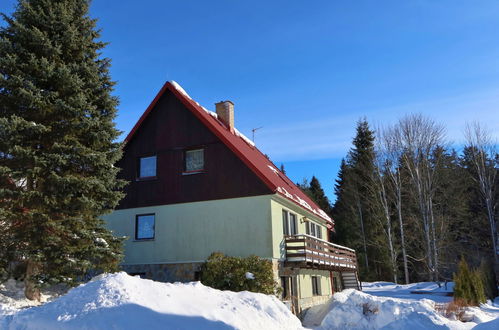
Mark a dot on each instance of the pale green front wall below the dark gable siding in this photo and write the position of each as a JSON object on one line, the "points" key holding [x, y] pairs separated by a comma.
{"points": [[192, 231]]}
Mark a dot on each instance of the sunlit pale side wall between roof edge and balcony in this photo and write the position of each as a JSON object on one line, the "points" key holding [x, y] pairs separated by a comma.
{"points": [[279, 203]]}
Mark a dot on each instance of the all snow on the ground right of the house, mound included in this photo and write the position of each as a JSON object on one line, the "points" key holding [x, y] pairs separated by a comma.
{"points": [[385, 305]]}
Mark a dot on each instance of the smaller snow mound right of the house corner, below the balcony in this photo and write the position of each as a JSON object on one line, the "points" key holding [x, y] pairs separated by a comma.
{"points": [[352, 309]]}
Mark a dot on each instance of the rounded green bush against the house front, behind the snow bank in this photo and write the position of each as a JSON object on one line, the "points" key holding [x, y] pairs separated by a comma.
{"points": [[229, 273]]}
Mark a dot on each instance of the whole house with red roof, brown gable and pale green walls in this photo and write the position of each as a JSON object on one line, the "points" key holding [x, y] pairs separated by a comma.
{"points": [[197, 186]]}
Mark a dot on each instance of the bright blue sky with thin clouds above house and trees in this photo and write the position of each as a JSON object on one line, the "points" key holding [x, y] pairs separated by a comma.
{"points": [[307, 71]]}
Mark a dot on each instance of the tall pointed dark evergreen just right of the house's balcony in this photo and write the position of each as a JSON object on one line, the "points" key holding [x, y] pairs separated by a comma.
{"points": [[354, 212]]}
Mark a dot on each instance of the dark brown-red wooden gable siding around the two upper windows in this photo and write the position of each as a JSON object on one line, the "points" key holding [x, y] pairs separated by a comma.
{"points": [[167, 131]]}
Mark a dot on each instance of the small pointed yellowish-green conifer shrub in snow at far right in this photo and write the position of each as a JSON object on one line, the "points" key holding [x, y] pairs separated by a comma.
{"points": [[468, 286]]}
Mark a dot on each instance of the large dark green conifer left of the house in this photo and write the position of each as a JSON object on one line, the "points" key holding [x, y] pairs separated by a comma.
{"points": [[57, 143]]}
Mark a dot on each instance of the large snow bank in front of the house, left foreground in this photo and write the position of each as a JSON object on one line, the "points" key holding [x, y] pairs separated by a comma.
{"points": [[120, 301]]}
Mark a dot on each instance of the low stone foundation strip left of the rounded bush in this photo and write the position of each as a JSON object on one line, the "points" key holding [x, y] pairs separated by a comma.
{"points": [[182, 272]]}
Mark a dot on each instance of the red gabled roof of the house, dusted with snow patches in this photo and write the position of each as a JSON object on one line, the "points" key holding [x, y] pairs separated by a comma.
{"points": [[277, 181]]}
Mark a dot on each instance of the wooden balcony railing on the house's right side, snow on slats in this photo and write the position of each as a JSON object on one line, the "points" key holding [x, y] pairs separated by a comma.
{"points": [[310, 252]]}
